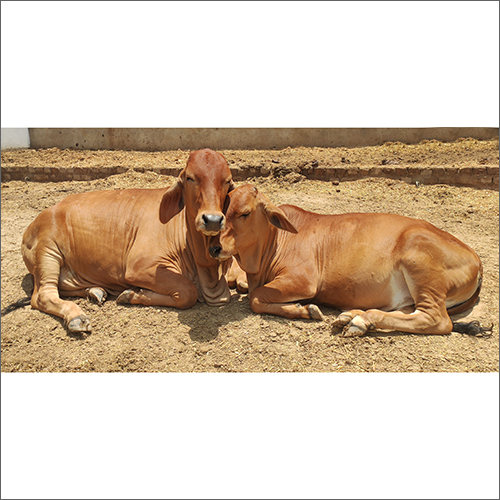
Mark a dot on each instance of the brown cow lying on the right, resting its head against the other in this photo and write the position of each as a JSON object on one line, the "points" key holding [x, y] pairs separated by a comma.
{"points": [[384, 271]]}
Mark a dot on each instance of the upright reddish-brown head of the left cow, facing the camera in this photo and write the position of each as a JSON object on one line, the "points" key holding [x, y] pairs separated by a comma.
{"points": [[201, 188]]}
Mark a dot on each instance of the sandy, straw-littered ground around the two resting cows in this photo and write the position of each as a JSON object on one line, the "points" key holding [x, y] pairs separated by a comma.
{"points": [[232, 338]]}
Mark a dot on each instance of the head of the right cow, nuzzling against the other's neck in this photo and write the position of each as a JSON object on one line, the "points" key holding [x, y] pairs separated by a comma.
{"points": [[249, 217]]}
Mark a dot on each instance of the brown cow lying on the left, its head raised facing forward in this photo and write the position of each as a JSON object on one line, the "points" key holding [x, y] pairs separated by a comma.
{"points": [[135, 243]]}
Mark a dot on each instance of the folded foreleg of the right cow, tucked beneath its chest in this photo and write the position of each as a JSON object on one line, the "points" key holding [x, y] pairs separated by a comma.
{"points": [[269, 299]]}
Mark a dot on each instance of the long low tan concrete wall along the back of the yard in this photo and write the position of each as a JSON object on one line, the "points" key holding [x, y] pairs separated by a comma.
{"points": [[161, 139]]}
